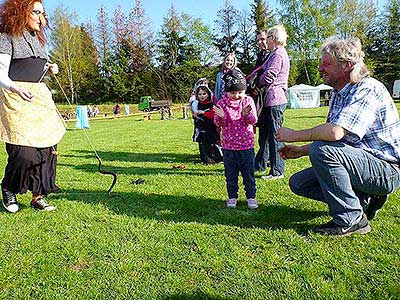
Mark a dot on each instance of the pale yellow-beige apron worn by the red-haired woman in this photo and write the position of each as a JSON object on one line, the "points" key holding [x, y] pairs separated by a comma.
{"points": [[36, 124]]}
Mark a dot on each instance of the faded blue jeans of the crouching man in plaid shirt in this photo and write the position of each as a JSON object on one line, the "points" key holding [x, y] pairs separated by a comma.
{"points": [[338, 173]]}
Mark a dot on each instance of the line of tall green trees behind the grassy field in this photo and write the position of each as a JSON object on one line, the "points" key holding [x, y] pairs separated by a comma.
{"points": [[118, 56]]}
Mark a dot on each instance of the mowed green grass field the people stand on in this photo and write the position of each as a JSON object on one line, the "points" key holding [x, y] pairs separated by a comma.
{"points": [[172, 238]]}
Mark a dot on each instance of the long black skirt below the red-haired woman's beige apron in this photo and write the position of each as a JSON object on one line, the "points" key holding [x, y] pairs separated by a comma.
{"points": [[30, 168]]}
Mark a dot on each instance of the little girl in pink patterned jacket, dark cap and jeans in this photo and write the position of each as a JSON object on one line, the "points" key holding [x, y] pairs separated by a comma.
{"points": [[235, 113]]}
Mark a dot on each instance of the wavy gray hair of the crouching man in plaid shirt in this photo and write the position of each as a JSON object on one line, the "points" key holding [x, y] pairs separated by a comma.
{"points": [[347, 50]]}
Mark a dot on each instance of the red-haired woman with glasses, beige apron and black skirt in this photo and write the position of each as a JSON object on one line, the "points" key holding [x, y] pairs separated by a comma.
{"points": [[30, 124]]}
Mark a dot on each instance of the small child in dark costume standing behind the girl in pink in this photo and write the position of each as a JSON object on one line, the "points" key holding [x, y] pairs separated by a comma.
{"points": [[205, 132]]}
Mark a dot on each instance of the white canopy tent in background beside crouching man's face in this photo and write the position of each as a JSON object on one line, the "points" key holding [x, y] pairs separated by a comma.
{"points": [[305, 96]]}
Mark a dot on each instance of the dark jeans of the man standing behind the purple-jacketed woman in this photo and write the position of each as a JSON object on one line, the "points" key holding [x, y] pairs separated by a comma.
{"points": [[262, 156]]}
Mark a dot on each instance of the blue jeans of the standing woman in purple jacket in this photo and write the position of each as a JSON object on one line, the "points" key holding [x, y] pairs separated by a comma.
{"points": [[274, 121]]}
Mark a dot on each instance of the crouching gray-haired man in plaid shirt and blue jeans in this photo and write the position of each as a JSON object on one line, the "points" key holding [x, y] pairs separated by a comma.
{"points": [[355, 155]]}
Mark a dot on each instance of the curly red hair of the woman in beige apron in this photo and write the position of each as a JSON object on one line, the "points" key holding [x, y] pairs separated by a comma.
{"points": [[14, 16]]}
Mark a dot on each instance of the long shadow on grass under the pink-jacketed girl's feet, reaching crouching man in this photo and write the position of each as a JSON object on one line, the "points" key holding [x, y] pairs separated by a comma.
{"points": [[188, 209]]}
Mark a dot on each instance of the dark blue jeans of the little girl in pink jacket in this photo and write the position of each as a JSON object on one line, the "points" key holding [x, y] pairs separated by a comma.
{"points": [[243, 161]]}
